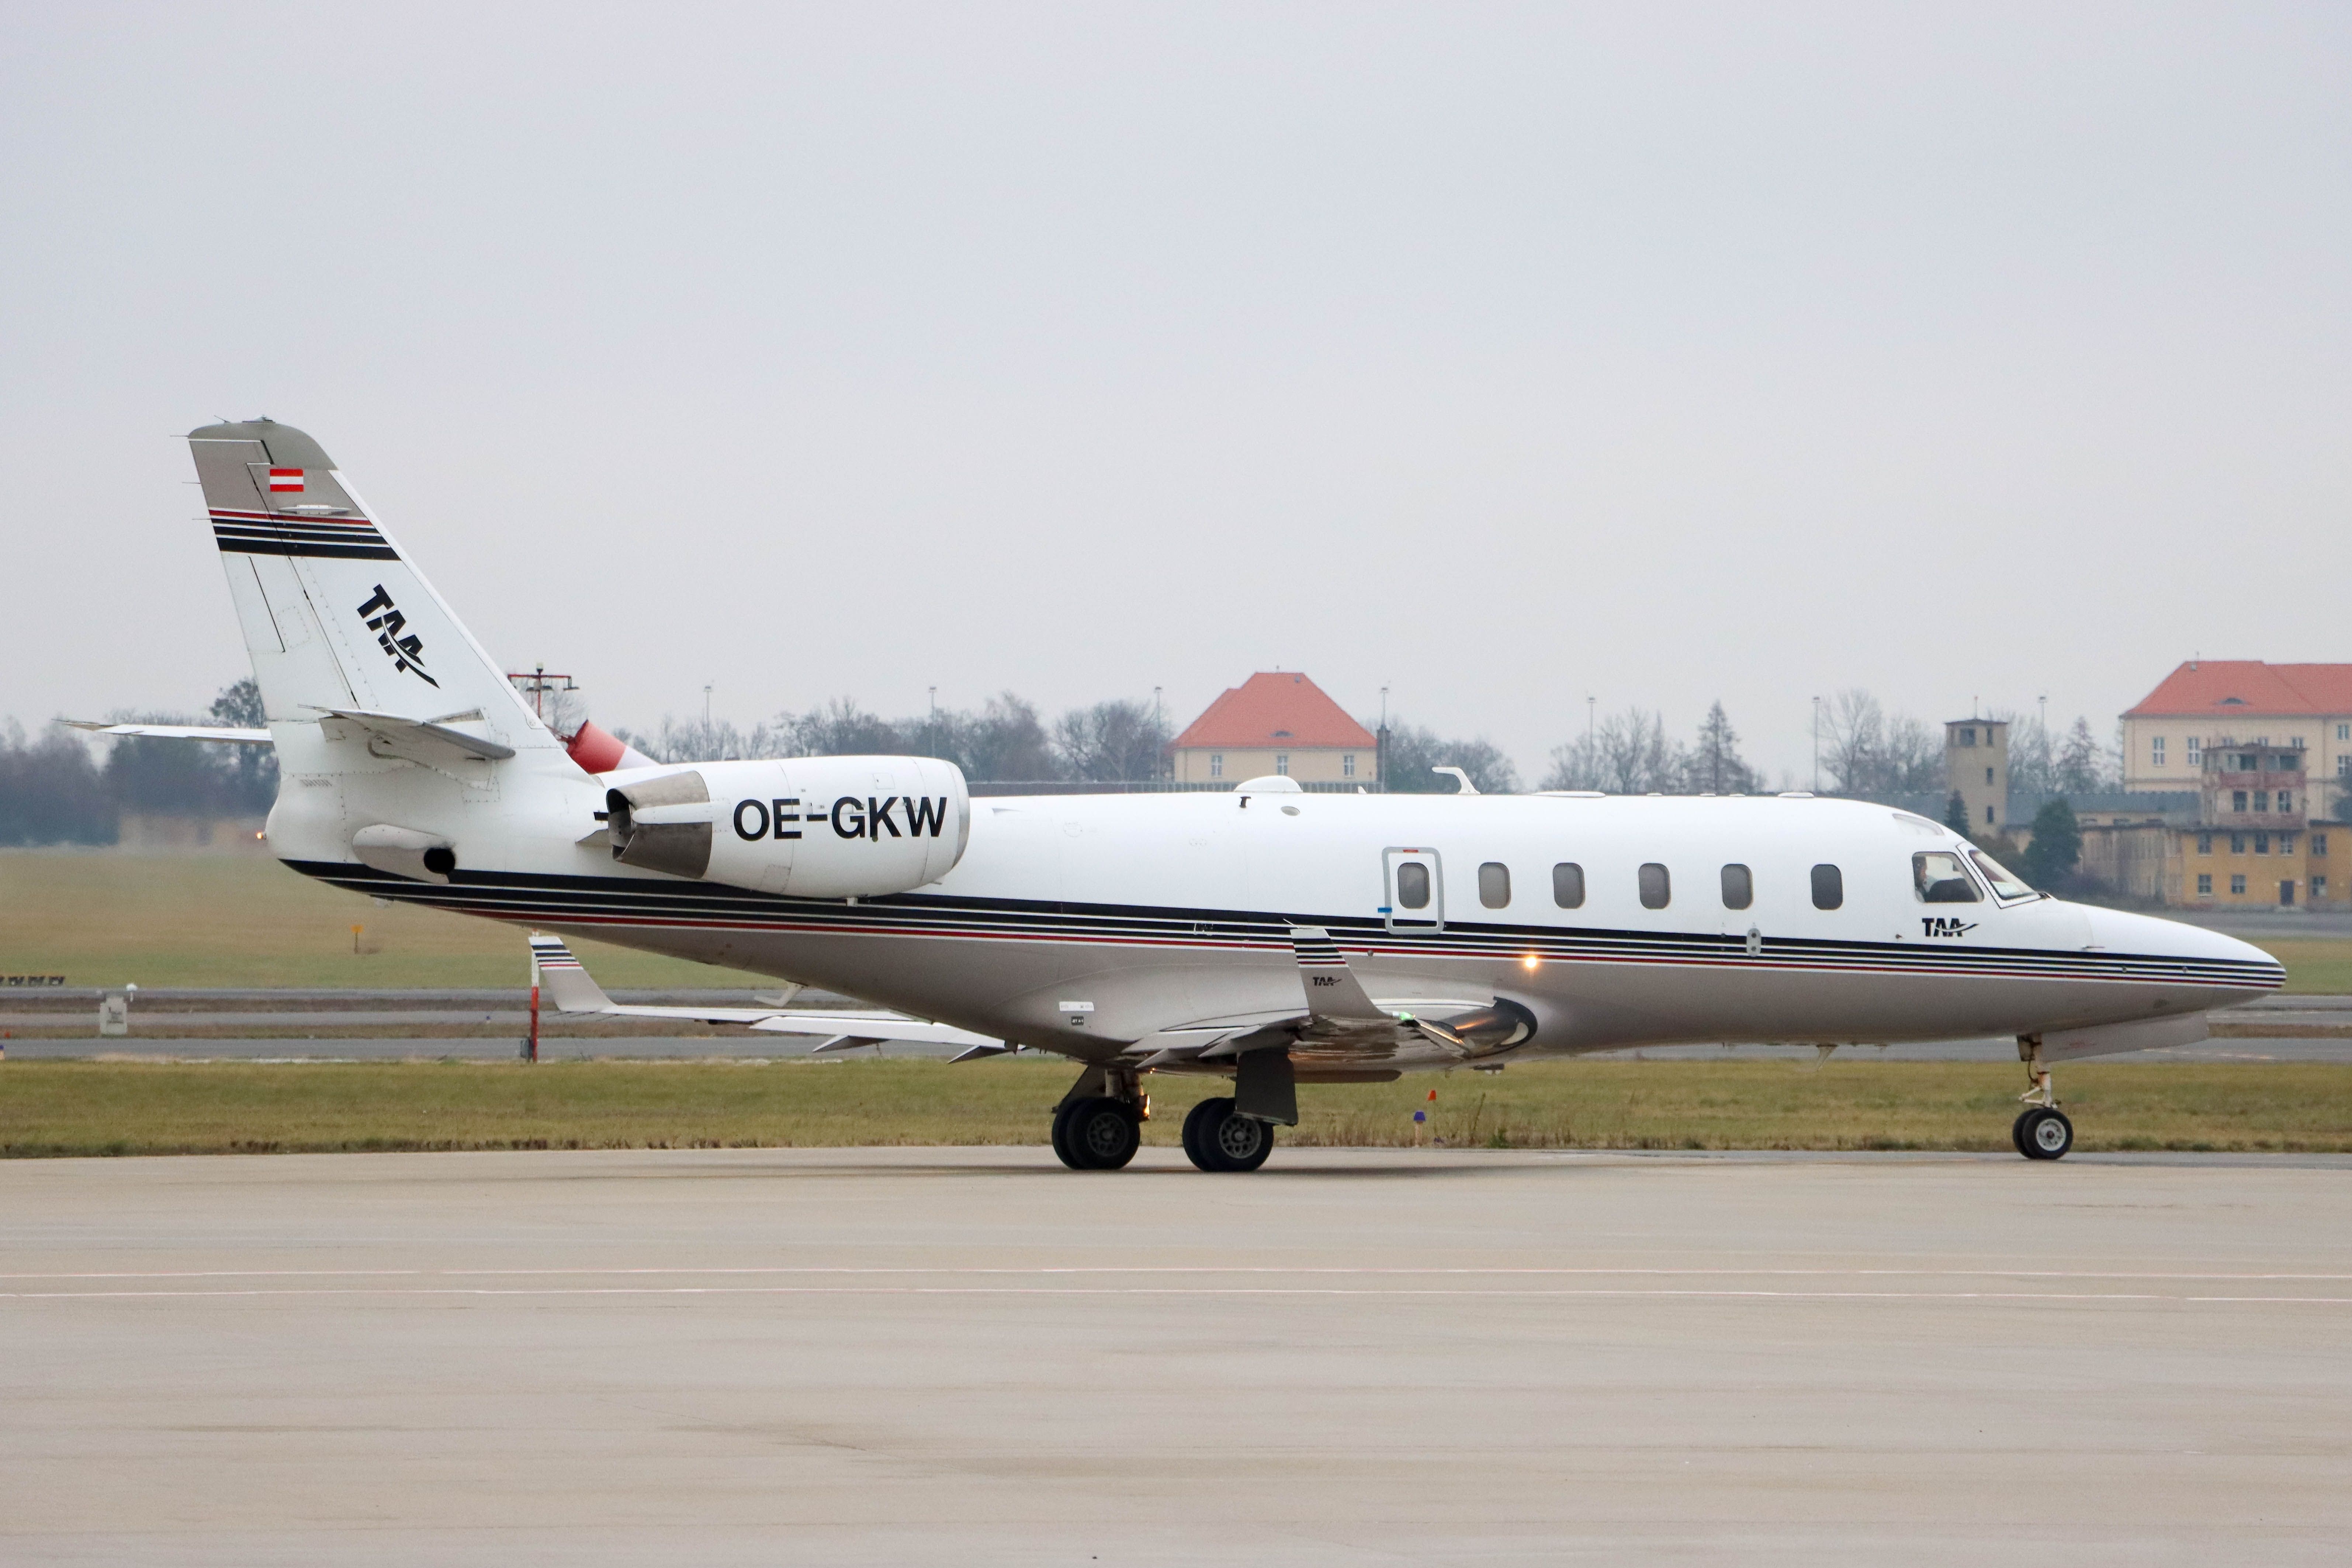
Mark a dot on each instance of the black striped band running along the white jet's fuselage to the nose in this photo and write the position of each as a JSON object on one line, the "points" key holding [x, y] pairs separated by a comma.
{"points": [[624, 902]]}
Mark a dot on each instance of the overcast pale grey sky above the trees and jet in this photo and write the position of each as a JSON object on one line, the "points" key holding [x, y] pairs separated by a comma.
{"points": [[1492, 354]]}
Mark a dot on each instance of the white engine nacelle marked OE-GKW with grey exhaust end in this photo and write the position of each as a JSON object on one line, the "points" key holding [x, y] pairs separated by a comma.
{"points": [[806, 826]]}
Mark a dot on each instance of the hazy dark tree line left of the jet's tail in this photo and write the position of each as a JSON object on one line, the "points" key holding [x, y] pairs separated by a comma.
{"points": [[58, 789]]}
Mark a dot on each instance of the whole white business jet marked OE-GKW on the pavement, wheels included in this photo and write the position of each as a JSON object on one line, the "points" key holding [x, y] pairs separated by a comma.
{"points": [[1262, 934]]}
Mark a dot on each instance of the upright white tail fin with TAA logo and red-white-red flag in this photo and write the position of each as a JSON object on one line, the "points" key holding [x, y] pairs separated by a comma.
{"points": [[335, 617]]}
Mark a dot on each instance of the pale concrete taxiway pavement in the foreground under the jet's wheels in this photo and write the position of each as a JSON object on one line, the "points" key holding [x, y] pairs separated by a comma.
{"points": [[1349, 1358]]}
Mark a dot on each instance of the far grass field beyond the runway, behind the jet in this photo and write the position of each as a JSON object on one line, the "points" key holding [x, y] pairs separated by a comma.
{"points": [[246, 920]]}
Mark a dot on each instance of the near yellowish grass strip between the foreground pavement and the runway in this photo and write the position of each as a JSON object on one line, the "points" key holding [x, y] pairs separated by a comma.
{"points": [[154, 1108]]}
